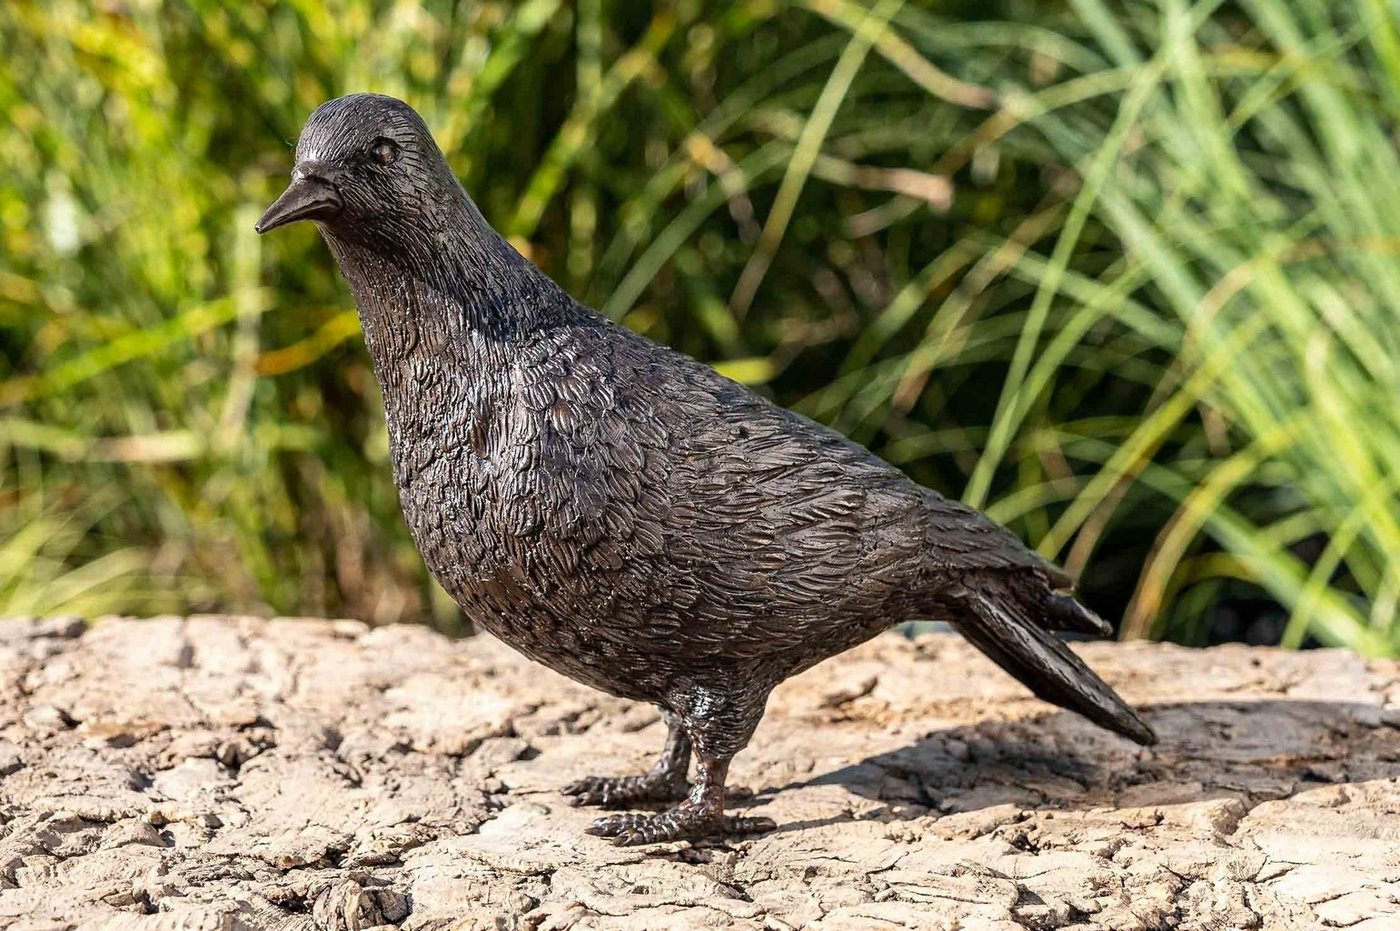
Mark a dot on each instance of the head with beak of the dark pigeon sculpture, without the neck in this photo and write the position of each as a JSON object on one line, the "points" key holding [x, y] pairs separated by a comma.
{"points": [[367, 171]]}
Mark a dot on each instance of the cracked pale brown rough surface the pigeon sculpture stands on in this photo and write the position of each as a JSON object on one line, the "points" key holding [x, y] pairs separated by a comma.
{"points": [[239, 773]]}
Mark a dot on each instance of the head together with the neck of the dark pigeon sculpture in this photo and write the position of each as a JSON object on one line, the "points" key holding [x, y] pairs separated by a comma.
{"points": [[414, 248]]}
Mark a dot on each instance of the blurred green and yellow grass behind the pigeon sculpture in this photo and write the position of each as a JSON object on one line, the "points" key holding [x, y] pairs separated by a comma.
{"points": [[1126, 274]]}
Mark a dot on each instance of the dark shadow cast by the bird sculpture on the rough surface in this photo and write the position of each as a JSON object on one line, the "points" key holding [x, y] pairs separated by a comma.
{"points": [[1255, 751]]}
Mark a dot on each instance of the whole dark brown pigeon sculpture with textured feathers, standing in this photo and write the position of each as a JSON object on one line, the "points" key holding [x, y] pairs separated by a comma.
{"points": [[625, 514]]}
